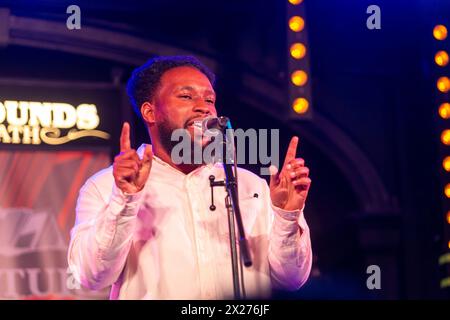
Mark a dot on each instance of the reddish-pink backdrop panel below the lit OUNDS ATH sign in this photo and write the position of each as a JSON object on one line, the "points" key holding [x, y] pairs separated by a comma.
{"points": [[38, 192]]}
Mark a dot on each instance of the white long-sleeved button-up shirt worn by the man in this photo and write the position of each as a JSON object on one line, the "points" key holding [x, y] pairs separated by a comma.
{"points": [[165, 243]]}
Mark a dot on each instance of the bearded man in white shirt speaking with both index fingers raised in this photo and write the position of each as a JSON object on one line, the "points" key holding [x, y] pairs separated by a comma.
{"points": [[144, 224]]}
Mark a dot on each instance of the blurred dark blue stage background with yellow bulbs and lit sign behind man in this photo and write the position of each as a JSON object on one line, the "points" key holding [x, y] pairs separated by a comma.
{"points": [[365, 88]]}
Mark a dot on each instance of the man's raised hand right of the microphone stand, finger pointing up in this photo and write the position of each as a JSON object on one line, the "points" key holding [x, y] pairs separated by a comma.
{"points": [[289, 188]]}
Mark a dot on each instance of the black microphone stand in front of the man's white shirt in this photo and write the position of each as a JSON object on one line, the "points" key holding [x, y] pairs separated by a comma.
{"points": [[234, 212]]}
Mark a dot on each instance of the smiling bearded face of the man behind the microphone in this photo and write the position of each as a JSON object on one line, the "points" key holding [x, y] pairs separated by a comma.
{"points": [[184, 95]]}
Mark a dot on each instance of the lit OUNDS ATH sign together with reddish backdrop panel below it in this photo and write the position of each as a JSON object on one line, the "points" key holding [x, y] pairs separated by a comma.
{"points": [[52, 139]]}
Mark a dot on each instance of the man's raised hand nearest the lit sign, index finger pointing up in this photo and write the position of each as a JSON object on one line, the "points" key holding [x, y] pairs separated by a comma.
{"points": [[130, 172]]}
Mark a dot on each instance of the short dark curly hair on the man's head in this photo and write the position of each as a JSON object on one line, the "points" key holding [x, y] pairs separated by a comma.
{"points": [[145, 79]]}
